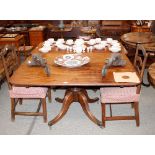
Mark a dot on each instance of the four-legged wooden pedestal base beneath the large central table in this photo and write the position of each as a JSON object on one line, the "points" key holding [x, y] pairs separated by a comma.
{"points": [[76, 95]]}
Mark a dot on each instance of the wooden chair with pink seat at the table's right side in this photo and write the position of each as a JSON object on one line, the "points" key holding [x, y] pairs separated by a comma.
{"points": [[125, 95]]}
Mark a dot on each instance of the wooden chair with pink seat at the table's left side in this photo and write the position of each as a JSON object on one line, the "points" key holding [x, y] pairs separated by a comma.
{"points": [[16, 94]]}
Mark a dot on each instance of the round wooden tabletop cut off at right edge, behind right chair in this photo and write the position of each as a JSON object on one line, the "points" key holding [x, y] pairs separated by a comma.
{"points": [[151, 73]]}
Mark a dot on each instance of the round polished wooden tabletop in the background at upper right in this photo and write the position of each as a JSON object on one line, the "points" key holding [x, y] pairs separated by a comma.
{"points": [[145, 38]]}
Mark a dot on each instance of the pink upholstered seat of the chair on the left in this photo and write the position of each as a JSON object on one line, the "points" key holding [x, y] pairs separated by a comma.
{"points": [[31, 92]]}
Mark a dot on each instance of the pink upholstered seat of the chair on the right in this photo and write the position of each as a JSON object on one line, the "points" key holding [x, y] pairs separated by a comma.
{"points": [[119, 95]]}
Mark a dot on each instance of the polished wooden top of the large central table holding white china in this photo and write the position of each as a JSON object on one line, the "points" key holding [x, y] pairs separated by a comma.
{"points": [[87, 75]]}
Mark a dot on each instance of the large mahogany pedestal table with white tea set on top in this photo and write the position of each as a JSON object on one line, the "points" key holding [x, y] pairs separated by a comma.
{"points": [[76, 80]]}
